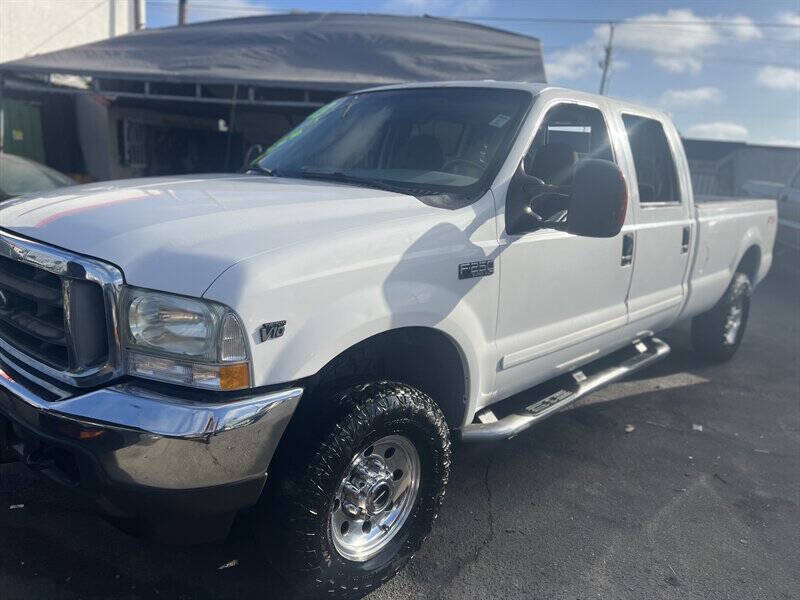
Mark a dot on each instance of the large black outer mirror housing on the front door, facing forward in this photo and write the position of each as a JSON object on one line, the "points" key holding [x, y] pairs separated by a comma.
{"points": [[599, 199]]}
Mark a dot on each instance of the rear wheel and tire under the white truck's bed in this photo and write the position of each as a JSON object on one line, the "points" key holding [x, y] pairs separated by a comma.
{"points": [[716, 334]]}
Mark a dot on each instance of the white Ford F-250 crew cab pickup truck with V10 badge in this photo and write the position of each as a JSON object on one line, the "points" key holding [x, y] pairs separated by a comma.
{"points": [[308, 337]]}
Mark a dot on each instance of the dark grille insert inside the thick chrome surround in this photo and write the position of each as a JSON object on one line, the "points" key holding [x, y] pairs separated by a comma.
{"points": [[32, 312]]}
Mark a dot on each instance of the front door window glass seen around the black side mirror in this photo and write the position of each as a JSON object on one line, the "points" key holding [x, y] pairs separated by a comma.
{"points": [[569, 133]]}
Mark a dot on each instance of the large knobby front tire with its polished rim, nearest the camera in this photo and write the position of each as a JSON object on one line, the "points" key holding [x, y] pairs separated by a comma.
{"points": [[363, 498]]}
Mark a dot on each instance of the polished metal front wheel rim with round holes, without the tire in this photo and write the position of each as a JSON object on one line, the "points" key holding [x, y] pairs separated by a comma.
{"points": [[375, 497]]}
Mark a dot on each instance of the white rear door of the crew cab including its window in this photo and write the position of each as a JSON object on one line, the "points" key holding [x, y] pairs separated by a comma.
{"points": [[662, 236]]}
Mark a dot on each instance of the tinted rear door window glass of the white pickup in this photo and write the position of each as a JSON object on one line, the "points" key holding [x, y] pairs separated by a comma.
{"points": [[653, 161]]}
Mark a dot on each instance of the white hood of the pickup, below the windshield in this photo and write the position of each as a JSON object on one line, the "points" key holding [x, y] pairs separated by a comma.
{"points": [[179, 234]]}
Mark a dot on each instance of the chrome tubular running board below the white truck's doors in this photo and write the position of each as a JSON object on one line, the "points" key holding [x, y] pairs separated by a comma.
{"points": [[647, 351]]}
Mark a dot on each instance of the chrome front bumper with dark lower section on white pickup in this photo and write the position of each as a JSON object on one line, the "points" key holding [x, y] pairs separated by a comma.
{"points": [[138, 453]]}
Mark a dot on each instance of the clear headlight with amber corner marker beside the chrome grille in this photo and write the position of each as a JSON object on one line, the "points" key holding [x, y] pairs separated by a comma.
{"points": [[184, 340]]}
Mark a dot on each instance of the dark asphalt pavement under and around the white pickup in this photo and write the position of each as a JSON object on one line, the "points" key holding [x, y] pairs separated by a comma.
{"points": [[681, 483]]}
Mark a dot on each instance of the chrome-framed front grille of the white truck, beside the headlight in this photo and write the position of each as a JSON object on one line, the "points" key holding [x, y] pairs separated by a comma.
{"points": [[56, 309]]}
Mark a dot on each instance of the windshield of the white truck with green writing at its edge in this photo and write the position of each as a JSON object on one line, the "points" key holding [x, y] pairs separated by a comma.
{"points": [[422, 141]]}
